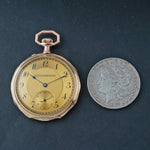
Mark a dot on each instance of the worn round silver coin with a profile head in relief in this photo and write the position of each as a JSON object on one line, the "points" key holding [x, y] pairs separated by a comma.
{"points": [[113, 83]]}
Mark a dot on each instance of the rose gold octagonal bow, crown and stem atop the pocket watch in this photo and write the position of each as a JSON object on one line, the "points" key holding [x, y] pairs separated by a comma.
{"points": [[47, 42]]}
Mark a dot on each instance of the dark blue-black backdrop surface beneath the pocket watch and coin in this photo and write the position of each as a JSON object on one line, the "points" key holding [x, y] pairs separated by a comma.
{"points": [[90, 31]]}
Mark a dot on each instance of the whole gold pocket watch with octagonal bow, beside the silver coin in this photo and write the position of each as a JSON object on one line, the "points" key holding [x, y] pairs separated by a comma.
{"points": [[45, 86]]}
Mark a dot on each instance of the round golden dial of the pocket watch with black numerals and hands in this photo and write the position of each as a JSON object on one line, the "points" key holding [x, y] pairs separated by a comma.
{"points": [[45, 85]]}
